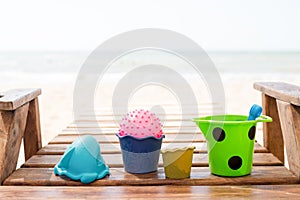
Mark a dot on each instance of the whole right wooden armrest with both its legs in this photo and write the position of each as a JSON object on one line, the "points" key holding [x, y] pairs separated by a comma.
{"points": [[281, 101]]}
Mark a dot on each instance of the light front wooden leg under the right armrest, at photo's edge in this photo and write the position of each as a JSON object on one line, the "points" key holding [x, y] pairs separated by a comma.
{"points": [[290, 123]]}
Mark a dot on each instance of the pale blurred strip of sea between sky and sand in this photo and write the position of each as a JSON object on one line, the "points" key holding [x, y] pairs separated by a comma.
{"points": [[248, 63]]}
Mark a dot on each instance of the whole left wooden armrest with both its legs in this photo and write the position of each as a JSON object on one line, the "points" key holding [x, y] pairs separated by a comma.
{"points": [[19, 120]]}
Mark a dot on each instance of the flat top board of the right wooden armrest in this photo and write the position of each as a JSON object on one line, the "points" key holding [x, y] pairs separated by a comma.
{"points": [[282, 91]]}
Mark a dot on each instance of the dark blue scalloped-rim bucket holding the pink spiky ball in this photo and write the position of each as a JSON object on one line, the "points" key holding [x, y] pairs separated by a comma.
{"points": [[140, 155]]}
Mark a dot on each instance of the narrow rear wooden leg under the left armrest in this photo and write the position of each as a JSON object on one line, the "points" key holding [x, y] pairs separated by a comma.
{"points": [[32, 135]]}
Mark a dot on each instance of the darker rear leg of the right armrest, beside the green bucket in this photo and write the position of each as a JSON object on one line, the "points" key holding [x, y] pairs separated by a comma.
{"points": [[272, 134]]}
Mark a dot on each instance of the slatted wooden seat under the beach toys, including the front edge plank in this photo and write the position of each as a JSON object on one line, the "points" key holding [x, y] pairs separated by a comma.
{"points": [[269, 177]]}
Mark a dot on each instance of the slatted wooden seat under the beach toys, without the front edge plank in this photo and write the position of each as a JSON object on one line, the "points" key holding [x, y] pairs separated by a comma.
{"points": [[38, 170]]}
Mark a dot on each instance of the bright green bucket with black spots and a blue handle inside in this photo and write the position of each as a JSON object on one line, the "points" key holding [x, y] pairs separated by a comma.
{"points": [[230, 142]]}
